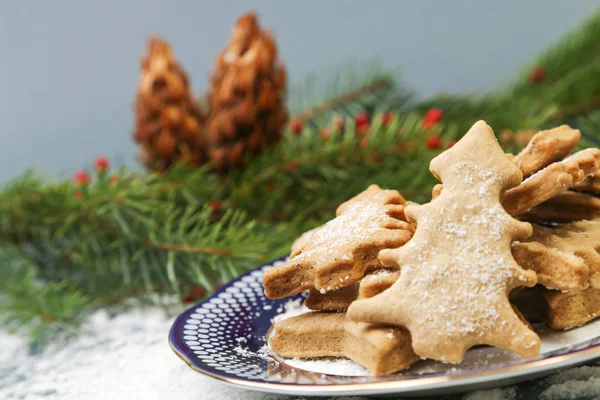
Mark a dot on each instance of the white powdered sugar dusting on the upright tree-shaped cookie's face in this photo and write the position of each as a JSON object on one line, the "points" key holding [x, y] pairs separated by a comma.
{"points": [[473, 259]]}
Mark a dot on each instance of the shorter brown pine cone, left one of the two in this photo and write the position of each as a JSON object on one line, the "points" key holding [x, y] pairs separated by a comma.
{"points": [[169, 121]]}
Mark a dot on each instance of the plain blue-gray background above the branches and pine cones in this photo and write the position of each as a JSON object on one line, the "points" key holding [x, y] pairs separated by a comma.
{"points": [[69, 69]]}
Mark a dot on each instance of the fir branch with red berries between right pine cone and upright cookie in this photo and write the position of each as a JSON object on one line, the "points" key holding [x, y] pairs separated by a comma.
{"points": [[313, 175]]}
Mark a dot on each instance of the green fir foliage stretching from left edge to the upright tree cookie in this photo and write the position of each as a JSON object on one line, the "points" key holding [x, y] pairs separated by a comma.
{"points": [[104, 242]]}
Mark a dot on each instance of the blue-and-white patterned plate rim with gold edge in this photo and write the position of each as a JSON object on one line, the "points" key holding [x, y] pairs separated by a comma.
{"points": [[223, 337]]}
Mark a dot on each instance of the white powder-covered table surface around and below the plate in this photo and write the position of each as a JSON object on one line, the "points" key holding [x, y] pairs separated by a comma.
{"points": [[128, 357]]}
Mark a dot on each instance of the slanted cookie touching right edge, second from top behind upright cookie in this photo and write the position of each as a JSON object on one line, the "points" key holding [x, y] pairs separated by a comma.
{"points": [[550, 181]]}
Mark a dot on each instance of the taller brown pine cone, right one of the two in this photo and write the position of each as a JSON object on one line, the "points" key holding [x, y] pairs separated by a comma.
{"points": [[247, 96]]}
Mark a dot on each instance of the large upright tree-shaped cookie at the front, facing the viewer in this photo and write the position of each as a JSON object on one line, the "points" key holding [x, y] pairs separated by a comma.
{"points": [[457, 270]]}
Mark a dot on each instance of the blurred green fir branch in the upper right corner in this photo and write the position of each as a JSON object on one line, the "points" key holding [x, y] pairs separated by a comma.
{"points": [[570, 88]]}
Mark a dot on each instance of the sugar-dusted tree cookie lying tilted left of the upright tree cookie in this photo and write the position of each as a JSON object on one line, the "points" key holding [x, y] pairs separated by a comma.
{"points": [[340, 252]]}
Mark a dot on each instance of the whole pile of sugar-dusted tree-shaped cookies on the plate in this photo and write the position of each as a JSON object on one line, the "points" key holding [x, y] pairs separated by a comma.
{"points": [[505, 239]]}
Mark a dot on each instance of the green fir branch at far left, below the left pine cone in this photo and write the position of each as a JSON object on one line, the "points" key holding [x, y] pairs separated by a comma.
{"points": [[131, 233]]}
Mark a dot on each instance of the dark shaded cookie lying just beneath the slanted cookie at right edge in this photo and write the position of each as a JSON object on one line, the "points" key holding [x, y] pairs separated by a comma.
{"points": [[568, 206]]}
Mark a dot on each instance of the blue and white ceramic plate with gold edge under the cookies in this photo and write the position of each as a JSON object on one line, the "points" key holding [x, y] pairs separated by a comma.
{"points": [[224, 337]]}
